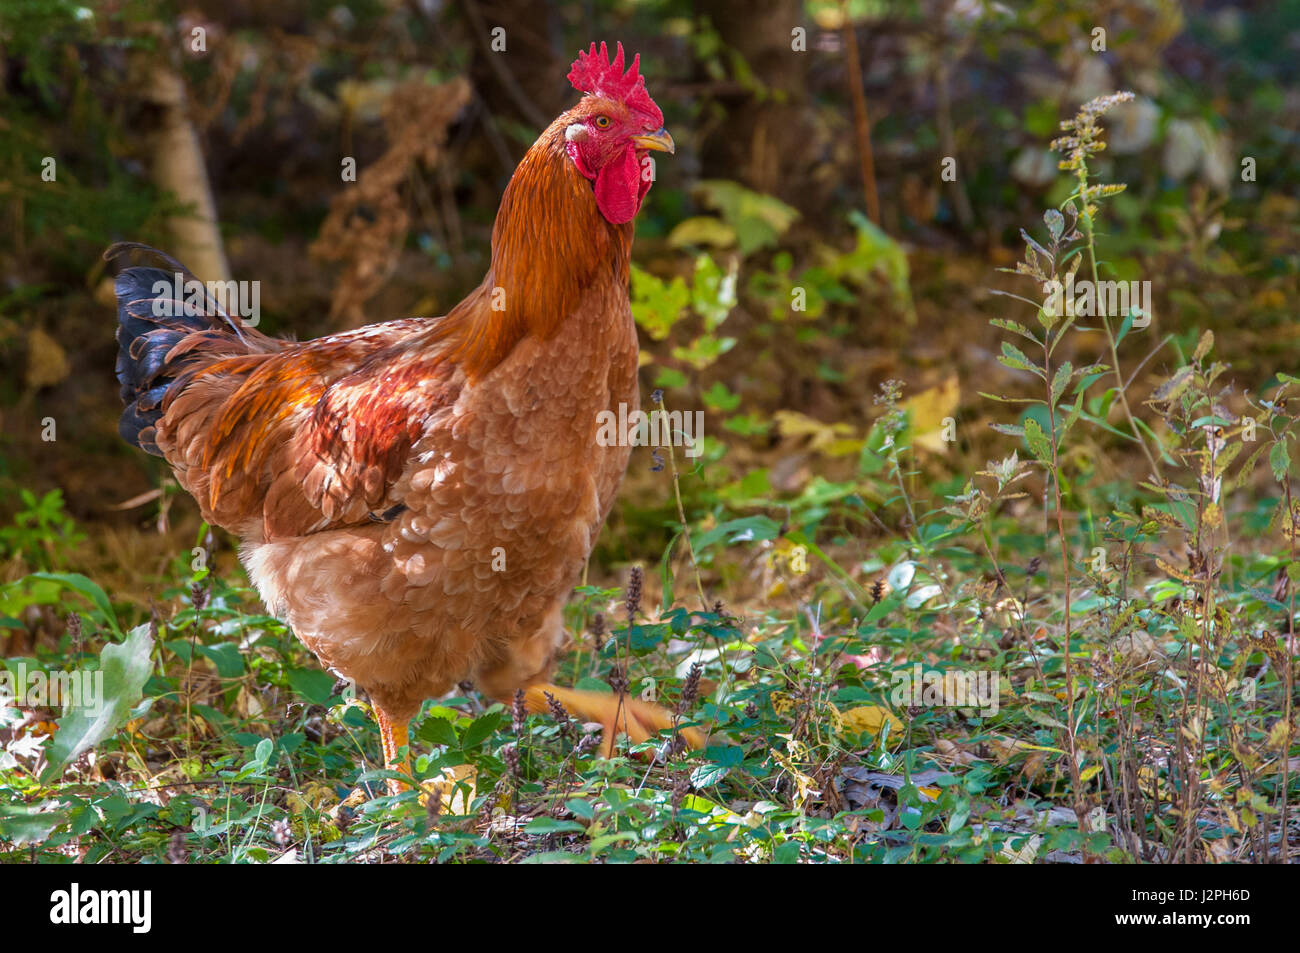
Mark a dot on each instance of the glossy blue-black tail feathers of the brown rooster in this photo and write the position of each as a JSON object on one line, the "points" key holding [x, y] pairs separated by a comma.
{"points": [[153, 317]]}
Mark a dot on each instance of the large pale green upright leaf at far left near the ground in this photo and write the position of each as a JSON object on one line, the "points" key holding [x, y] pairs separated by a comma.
{"points": [[125, 668]]}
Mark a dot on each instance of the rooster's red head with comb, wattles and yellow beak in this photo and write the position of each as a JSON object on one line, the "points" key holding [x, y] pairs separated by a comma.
{"points": [[612, 131]]}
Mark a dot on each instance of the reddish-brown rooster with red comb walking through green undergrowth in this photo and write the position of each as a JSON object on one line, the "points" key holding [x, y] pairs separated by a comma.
{"points": [[417, 500]]}
